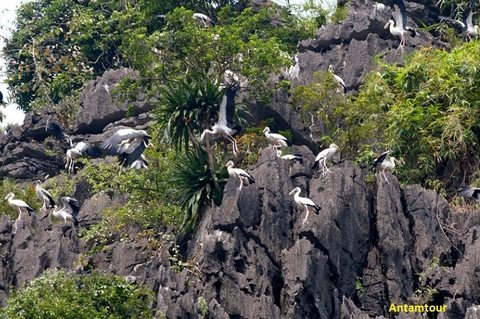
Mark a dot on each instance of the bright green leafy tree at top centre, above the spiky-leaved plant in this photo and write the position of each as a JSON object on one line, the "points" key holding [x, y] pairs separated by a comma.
{"points": [[246, 43]]}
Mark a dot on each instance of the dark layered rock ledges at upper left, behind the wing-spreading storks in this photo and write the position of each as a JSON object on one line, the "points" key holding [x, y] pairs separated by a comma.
{"points": [[29, 152]]}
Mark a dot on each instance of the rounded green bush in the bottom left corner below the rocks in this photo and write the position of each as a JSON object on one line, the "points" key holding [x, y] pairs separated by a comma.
{"points": [[62, 294]]}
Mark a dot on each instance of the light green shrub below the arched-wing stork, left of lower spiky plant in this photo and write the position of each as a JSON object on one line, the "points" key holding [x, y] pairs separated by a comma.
{"points": [[150, 199]]}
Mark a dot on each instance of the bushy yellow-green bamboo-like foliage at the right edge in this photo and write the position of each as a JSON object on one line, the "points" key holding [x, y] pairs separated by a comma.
{"points": [[433, 120]]}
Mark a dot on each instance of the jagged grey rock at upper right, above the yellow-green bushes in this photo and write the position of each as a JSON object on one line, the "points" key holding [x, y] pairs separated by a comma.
{"points": [[351, 48]]}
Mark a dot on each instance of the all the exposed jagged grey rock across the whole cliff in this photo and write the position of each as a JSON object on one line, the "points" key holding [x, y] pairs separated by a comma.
{"points": [[373, 244]]}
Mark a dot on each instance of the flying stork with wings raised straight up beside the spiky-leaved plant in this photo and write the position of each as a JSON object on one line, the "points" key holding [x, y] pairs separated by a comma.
{"points": [[224, 126]]}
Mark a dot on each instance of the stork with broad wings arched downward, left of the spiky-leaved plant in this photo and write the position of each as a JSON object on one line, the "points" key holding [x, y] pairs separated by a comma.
{"points": [[128, 144]]}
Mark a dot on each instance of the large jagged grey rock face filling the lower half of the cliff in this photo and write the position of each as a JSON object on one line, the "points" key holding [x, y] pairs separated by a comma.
{"points": [[371, 245]]}
